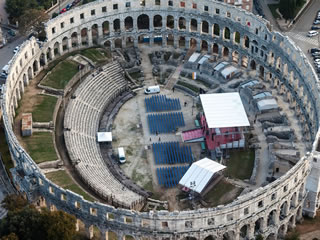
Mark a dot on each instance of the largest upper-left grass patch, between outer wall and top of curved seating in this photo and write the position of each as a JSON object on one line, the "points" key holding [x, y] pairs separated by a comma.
{"points": [[61, 74]]}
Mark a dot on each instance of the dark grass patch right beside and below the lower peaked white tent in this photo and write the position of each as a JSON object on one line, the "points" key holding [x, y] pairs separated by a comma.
{"points": [[217, 195]]}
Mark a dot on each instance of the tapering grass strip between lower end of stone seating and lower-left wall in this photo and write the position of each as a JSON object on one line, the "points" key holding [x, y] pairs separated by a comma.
{"points": [[62, 179]]}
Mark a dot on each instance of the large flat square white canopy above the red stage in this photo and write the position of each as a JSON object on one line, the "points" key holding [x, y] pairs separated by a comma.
{"points": [[224, 110]]}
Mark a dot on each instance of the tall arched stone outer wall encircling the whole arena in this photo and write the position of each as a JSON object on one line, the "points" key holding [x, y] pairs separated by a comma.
{"points": [[269, 210]]}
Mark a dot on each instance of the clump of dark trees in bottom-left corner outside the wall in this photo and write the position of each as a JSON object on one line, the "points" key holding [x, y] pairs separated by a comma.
{"points": [[25, 222]]}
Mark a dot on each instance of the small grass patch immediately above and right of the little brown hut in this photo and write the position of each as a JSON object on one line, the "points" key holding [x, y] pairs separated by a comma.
{"points": [[43, 111]]}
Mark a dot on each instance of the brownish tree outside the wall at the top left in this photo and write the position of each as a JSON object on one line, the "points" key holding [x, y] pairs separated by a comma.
{"points": [[34, 20]]}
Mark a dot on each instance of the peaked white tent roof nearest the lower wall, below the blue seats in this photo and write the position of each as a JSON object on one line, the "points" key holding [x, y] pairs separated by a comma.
{"points": [[200, 173]]}
